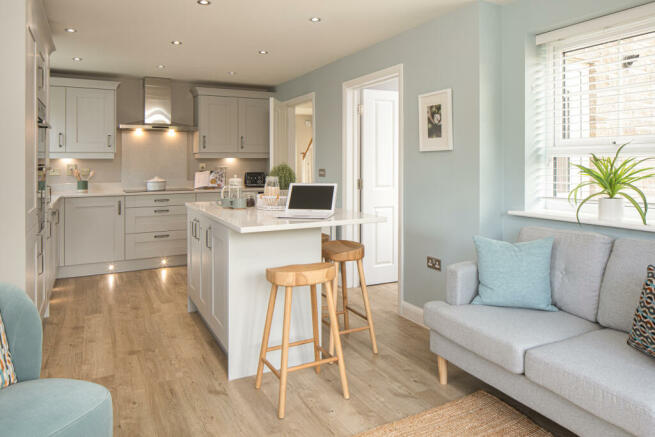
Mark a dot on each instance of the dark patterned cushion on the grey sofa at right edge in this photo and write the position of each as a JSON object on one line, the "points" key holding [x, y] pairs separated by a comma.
{"points": [[642, 335]]}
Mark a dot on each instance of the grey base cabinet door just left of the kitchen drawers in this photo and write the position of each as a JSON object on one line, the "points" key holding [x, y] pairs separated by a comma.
{"points": [[94, 230]]}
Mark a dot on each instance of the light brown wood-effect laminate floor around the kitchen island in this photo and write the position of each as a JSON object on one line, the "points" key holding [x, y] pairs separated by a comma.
{"points": [[131, 333]]}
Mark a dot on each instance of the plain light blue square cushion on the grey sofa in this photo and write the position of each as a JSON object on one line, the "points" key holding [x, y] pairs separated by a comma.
{"points": [[514, 275]]}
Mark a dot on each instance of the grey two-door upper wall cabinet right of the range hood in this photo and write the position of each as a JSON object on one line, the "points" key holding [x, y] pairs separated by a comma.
{"points": [[231, 123]]}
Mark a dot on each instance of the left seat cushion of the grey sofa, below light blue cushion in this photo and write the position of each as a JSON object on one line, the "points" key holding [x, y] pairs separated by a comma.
{"points": [[502, 335]]}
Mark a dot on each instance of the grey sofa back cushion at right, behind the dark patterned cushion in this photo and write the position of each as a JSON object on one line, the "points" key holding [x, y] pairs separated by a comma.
{"points": [[624, 278]]}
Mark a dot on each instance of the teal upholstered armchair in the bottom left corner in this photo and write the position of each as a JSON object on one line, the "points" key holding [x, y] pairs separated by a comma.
{"points": [[51, 406]]}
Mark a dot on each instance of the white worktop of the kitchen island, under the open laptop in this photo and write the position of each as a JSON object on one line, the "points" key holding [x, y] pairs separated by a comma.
{"points": [[250, 220]]}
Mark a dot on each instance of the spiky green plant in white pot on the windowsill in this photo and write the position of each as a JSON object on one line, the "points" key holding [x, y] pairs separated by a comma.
{"points": [[616, 182]]}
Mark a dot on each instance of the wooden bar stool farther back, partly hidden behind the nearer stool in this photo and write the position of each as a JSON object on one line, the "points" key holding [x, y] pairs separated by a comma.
{"points": [[339, 252]]}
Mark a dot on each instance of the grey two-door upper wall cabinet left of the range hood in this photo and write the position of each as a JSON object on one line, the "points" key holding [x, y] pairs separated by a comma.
{"points": [[83, 118]]}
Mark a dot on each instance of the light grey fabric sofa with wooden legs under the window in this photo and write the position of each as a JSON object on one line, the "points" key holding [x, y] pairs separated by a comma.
{"points": [[573, 366]]}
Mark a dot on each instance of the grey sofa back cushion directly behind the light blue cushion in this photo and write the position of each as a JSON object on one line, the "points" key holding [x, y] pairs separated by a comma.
{"points": [[577, 265]]}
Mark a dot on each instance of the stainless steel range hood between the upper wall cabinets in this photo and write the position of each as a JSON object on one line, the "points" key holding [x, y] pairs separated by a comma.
{"points": [[157, 108]]}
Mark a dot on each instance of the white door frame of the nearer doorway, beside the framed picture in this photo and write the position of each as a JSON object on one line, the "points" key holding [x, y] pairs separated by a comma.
{"points": [[350, 165]]}
